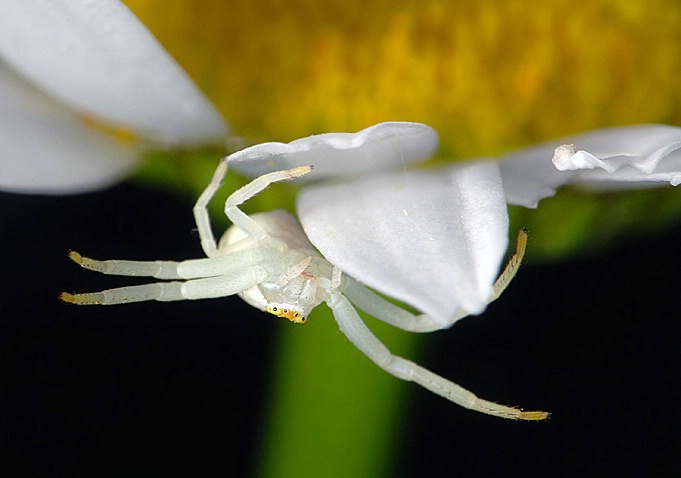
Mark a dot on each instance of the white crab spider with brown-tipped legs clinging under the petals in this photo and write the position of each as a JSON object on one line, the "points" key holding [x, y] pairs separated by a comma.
{"points": [[269, 262]]}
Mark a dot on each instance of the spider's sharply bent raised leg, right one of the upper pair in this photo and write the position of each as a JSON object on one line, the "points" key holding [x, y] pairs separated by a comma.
{"points": [[238, 197]]}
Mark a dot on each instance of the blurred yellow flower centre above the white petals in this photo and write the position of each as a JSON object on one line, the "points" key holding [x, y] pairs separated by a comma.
{"points": [[488, 75]]}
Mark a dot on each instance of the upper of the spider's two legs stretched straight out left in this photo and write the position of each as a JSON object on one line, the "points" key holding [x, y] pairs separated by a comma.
{"points": [[191, 269]]}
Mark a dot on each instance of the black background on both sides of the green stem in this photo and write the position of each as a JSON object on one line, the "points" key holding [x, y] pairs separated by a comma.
{"points": [[179, 390]]}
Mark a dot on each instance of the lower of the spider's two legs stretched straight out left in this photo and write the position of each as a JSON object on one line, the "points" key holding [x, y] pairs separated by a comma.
{"points": [[205, 288]]}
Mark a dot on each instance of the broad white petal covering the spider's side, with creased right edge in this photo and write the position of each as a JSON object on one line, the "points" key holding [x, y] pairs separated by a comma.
{"points": [[434, 239]]}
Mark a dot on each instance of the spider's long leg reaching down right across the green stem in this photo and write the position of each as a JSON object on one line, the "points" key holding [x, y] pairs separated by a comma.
{"points": [[359, 334]]}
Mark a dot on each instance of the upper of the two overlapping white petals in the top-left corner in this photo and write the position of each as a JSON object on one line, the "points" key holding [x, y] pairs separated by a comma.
{"points": [[98, 57]]}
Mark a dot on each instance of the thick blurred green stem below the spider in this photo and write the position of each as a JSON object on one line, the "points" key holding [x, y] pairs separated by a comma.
{"points": [[333, 412]]}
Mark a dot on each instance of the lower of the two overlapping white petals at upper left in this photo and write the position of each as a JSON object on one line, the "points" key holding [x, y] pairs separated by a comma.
{"points": [[45, 148]]}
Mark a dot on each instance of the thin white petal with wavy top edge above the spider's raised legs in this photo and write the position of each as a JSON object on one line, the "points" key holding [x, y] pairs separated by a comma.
{"points": [[381, 146]]}
